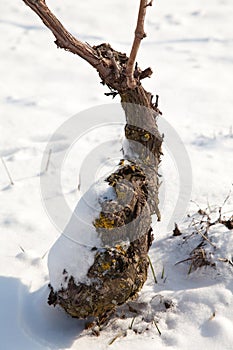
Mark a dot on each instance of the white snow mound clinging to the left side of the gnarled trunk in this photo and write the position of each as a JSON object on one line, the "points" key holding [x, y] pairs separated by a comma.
{"points": [[74, 247]]}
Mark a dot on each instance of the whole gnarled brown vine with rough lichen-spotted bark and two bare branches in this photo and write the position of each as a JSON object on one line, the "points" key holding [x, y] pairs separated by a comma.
{"points": [[119, 271]]}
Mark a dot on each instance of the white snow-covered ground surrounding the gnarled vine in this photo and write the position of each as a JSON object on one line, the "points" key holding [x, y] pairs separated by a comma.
{"points": [[190, 48]]}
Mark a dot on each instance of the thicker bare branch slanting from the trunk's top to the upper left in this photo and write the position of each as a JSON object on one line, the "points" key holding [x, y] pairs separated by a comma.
{"points": [[66, 40]]}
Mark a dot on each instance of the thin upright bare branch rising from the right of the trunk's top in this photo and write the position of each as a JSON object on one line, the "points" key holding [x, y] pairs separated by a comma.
{"points": [[139, 35]]}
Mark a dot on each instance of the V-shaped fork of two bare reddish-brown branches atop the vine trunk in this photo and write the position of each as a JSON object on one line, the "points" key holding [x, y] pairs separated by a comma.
{"points": [[67, 41]]}
